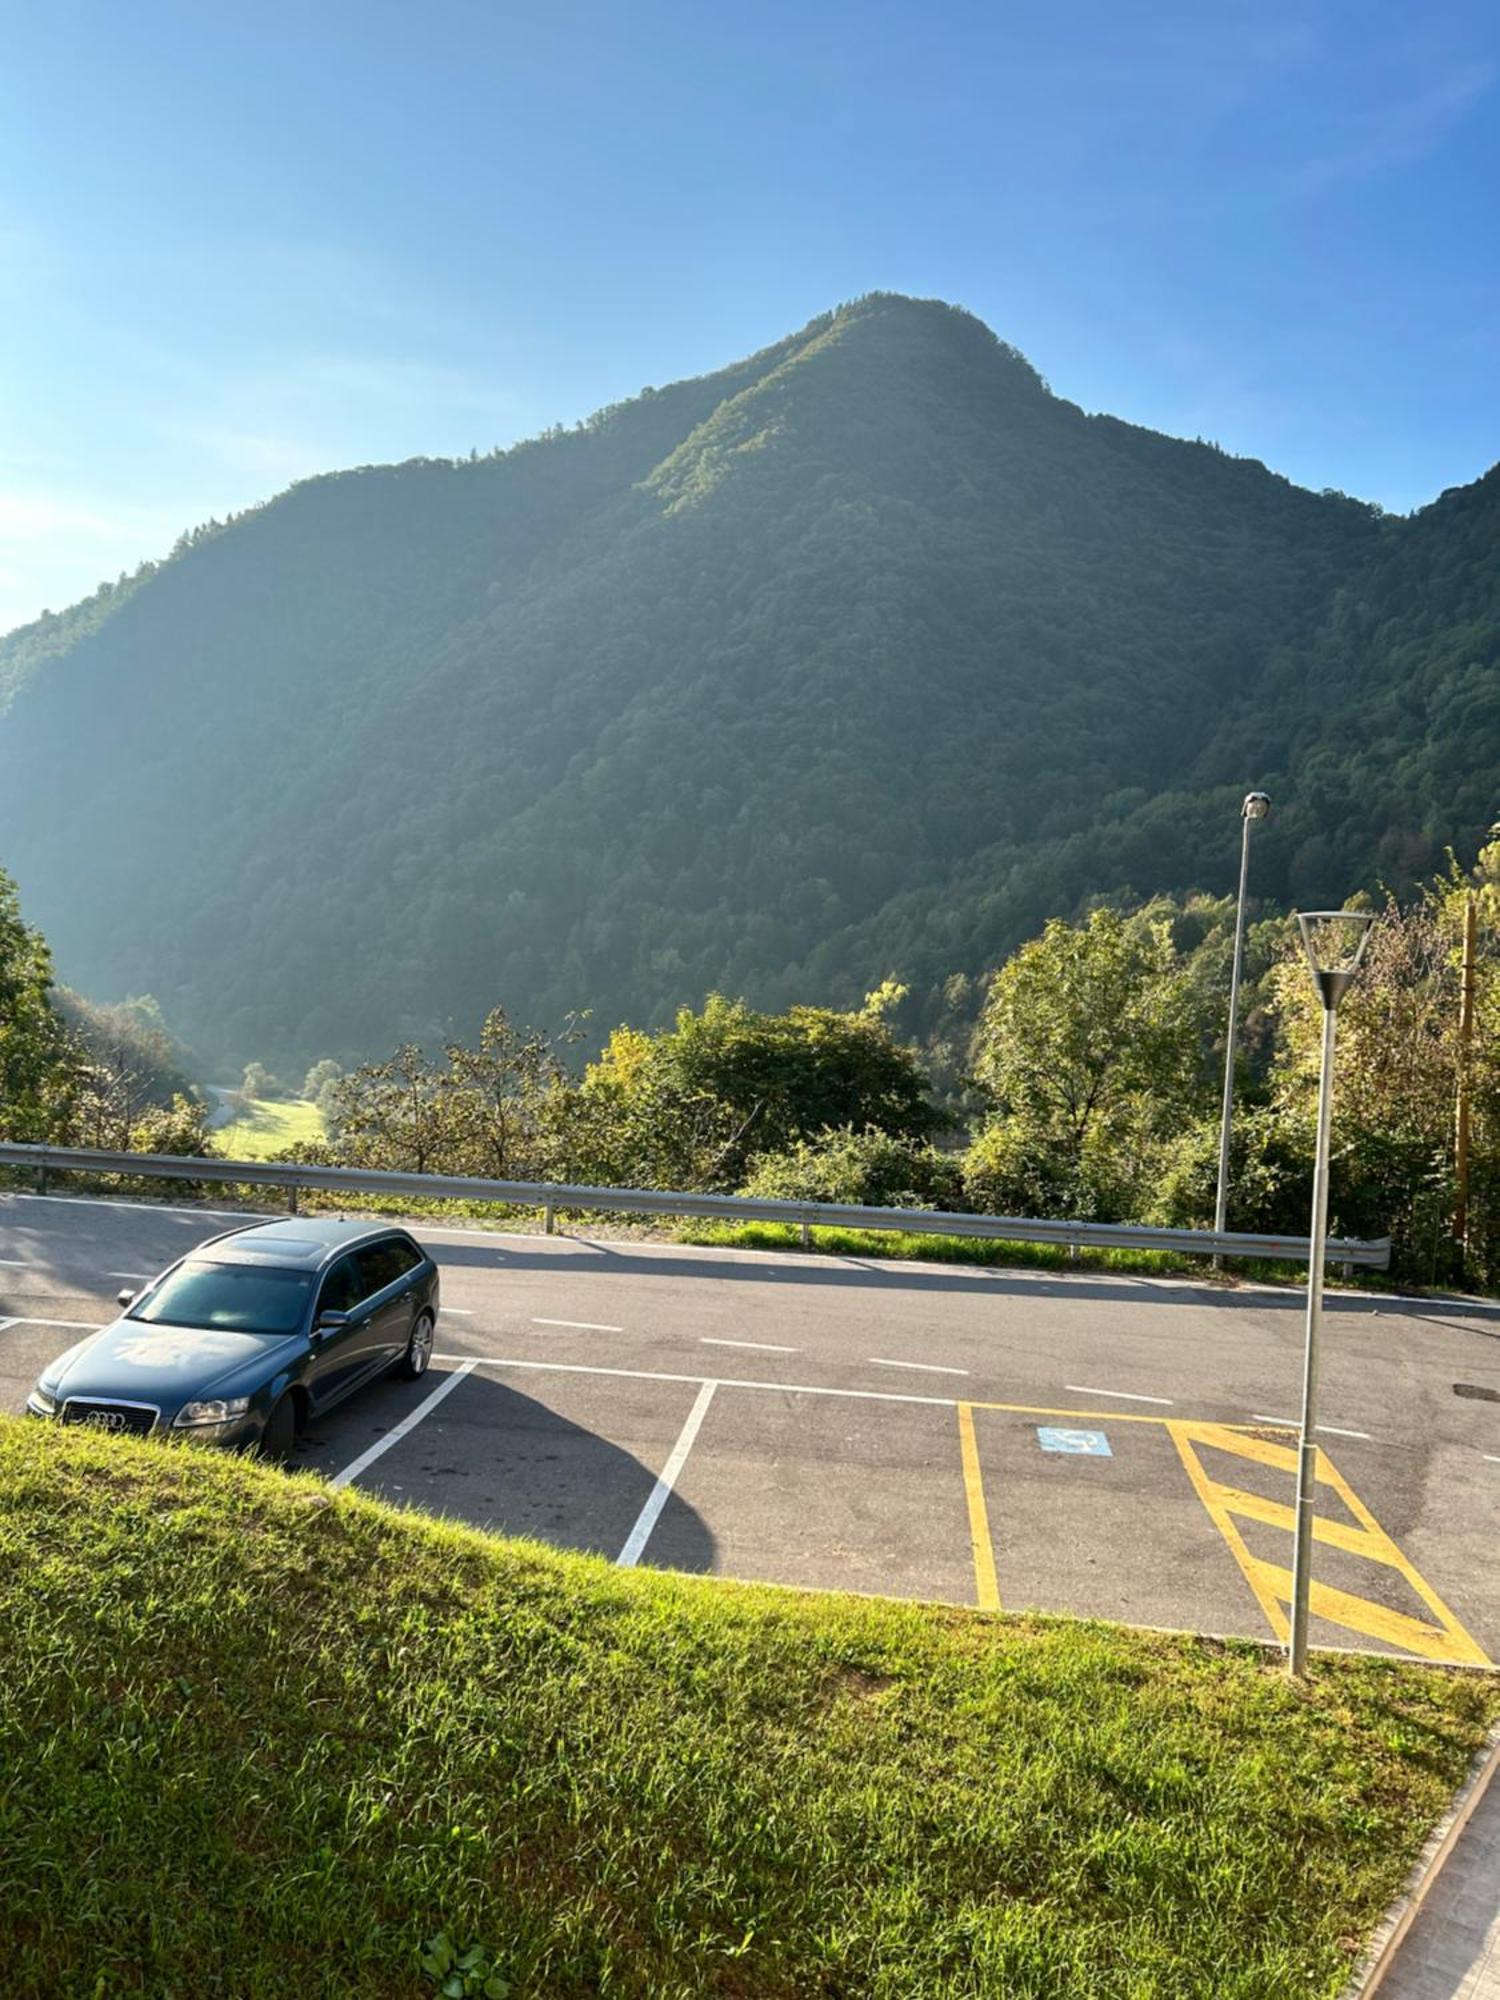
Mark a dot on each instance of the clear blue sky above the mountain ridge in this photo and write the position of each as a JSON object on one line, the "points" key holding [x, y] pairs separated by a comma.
{"points": [[249, 243]]}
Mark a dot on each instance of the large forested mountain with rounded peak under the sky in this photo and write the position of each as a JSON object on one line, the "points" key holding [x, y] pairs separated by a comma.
{"points": [[865, 655]]}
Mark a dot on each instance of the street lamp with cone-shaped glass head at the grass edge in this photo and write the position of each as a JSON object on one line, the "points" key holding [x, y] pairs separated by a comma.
{"points": [[1335, 945]]}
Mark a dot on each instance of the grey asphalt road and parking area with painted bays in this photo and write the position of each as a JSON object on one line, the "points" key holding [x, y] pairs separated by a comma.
{"points": [[1077, 1443]]}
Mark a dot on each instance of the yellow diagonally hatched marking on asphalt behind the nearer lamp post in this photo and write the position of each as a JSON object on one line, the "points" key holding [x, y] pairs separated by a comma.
{"points": [[1273, 1583]]}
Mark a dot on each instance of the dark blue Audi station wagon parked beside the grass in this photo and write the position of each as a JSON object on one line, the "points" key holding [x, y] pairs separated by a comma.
{"points": [[253, 1335]]}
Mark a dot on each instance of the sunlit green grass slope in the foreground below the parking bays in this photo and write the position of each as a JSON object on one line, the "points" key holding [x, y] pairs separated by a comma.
{"points": [[265, 1741]]}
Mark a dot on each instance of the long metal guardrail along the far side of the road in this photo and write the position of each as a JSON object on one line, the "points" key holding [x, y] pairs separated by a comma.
{"points": [[553, 1197]]}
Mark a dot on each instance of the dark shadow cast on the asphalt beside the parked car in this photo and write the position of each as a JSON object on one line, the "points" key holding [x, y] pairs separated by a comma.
{"points": [[503, 1461]]}
